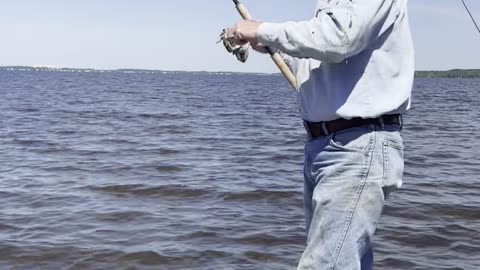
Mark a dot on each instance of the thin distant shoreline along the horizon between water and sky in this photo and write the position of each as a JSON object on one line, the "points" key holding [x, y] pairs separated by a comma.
{"points": [[454, 73]]}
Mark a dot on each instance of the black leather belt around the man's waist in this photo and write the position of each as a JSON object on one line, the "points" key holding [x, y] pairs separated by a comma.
{"points": [[329, 127]]}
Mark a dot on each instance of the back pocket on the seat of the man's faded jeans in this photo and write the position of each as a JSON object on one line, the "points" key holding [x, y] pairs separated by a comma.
{"points": [[393, 165]]}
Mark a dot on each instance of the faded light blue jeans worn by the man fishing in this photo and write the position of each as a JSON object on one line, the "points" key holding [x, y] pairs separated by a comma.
{"points": [[348, 176]]}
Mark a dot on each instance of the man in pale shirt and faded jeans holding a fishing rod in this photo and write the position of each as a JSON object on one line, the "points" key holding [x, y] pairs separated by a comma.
{"points": [[354, 64]]}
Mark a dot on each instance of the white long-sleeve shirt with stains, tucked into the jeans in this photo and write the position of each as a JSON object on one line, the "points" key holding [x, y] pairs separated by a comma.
{"points": [[355, 58]]}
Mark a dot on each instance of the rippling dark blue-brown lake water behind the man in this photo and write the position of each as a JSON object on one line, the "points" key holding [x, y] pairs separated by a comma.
{"points": [[150, 171]]}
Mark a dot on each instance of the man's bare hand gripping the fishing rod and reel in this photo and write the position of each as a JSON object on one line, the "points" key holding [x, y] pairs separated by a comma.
{"points": [[245, 32]]}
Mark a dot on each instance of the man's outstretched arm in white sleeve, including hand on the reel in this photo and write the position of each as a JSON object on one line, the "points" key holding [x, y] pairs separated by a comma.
{"points": [[335, 34]]}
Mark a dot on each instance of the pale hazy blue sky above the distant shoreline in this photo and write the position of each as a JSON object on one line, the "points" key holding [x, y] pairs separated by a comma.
{"points": [[182, 34]]}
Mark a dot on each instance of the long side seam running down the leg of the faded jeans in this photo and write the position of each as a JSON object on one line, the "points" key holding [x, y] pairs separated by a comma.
{"points": [[354, 203]]}
